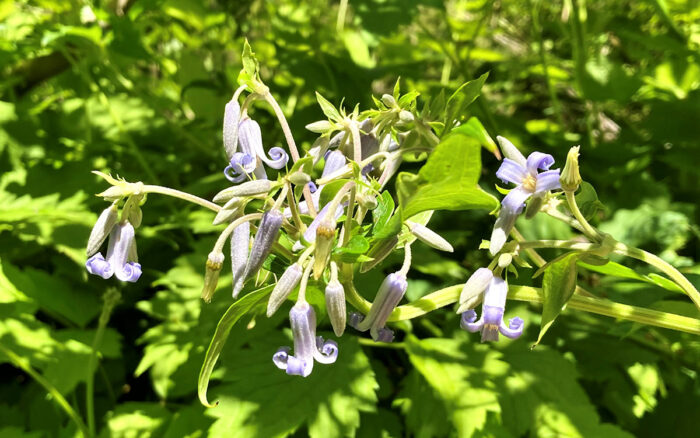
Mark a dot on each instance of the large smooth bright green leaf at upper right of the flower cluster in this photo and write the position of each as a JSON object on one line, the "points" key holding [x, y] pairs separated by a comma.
{"points": [[448, 181]]}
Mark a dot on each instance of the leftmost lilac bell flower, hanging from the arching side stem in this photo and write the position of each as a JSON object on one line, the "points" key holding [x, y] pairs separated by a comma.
{"points": [[121, 256]]}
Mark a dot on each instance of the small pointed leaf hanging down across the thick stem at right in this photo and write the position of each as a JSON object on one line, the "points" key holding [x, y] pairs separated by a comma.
{"points": [[558, 286]]}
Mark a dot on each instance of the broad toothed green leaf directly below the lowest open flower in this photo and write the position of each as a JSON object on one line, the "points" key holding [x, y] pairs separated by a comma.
{"points": [[260, 400]]}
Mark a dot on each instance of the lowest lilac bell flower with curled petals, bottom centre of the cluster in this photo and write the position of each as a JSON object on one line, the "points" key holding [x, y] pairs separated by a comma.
{"points": [[307, 346]]}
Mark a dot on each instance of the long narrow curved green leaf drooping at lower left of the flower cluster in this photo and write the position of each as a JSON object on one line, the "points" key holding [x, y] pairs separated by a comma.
{"points": [[232, 315]]}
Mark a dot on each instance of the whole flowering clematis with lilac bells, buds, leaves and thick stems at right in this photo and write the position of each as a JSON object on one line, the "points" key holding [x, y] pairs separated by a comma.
{"points": [[325, 217]]}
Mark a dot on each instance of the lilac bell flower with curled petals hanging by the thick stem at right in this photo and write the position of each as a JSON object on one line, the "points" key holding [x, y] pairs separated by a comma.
{"points": [[492, 310]]}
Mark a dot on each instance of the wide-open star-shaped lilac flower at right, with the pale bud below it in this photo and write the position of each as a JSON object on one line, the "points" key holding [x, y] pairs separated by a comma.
{"points": [[524, 174]]}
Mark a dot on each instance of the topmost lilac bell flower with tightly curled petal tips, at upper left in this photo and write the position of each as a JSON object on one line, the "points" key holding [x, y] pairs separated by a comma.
{"points": [[252, 157]]}
